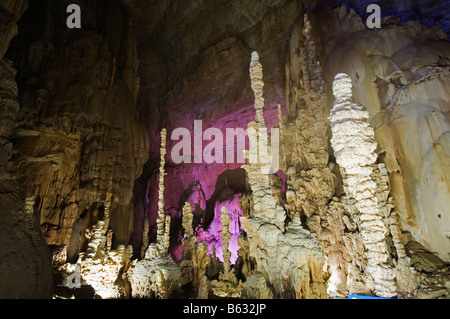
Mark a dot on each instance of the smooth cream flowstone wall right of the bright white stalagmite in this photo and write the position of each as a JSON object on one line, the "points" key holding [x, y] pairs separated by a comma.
{"points": [[398, 73]]}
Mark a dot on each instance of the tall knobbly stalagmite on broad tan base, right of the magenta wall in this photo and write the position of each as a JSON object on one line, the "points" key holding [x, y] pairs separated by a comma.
{"points": [[287, 257]]}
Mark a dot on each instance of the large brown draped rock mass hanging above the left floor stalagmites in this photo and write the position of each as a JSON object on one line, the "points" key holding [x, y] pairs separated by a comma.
{"points": [[77, 135]]}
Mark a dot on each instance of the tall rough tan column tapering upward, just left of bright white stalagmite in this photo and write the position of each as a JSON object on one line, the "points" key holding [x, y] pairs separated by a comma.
{"points": [[312, 190]]}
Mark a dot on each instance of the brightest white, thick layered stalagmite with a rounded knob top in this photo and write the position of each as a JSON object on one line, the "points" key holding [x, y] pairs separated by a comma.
{"points": [[354, 146]]}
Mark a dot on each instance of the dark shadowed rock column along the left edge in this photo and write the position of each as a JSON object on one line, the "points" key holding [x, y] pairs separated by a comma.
{"points": [[25, 258]]}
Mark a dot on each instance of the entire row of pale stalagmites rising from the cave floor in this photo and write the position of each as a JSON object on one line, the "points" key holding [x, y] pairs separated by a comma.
{"points": [[353, 238]]}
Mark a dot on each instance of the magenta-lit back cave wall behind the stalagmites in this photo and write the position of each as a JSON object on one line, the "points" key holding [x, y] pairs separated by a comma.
{"points": [[200, 179]]}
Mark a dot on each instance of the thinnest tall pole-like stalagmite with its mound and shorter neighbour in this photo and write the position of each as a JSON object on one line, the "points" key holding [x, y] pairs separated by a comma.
{"points": [[157, 275]]}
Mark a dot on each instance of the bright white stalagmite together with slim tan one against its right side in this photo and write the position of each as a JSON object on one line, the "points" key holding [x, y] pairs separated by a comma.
{"points": [[366, 182]]}
